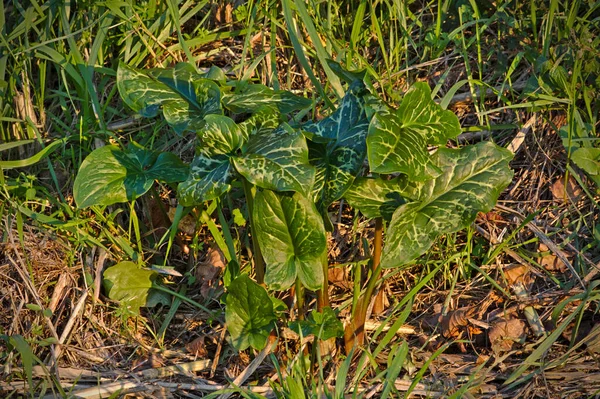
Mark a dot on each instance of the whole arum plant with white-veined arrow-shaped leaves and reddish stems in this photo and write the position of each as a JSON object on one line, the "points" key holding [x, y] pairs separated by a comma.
{"points": [[291, 173]]}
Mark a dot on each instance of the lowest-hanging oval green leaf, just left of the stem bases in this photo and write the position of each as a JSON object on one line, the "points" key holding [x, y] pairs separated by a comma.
{"points": [[249, 313]]}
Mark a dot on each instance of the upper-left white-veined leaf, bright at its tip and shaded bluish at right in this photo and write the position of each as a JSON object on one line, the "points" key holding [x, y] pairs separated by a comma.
{"points": [[184, 95]]}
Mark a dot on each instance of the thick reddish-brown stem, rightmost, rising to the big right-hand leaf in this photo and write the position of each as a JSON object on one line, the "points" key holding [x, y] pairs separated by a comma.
{"points": [[354, 334]]}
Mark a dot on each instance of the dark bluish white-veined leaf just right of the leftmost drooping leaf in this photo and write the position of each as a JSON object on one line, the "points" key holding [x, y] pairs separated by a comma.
{"points": [[209, 178]]}
